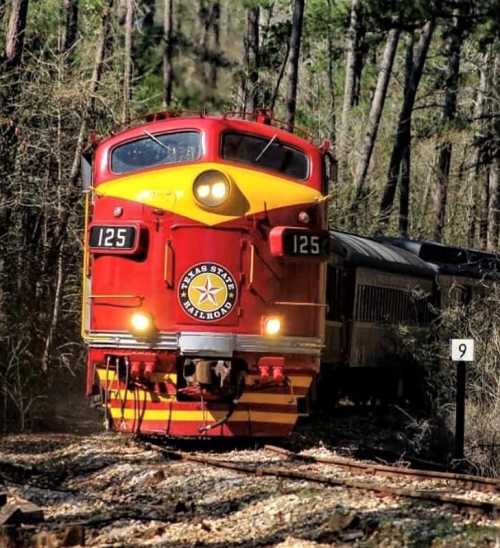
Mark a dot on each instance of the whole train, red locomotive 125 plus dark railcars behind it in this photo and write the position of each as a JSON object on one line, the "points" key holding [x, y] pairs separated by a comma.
{"points": [[215, 301]]}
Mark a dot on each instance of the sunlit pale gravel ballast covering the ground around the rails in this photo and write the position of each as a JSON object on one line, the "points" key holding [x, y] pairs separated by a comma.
{"points": [[124, 494]]}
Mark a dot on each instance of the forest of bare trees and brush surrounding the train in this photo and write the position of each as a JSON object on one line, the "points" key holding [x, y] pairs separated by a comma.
{"points": [[406, 91]]}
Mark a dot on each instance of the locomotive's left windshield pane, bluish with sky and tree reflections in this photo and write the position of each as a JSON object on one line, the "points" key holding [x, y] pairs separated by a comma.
{"points": [[152, 150]]}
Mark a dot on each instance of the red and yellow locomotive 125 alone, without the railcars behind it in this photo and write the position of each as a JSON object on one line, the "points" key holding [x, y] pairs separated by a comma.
{"points": [[204, 275]]}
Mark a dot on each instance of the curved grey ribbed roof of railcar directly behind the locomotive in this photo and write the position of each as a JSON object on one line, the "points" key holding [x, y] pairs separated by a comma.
{"points": [[369, 252]]}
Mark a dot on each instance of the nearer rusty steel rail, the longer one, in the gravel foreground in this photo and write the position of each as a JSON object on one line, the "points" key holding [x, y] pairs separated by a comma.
{"points": [[428, 496]]}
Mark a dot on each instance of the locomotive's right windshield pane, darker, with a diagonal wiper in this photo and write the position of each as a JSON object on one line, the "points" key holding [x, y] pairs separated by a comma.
{"points": [[266, 153]]}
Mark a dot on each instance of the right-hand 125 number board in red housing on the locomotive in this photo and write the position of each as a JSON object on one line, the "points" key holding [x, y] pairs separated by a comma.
{"points": [[296, 242]]}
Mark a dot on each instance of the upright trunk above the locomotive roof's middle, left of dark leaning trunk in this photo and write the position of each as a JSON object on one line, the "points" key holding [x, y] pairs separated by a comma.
{"points": [[251, 45]]}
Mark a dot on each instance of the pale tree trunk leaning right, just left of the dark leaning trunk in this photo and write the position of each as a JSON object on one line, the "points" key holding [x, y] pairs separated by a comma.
{"points": [[376, 109]]}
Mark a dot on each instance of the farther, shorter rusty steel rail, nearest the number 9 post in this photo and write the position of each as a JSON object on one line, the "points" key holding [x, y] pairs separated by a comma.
{"points": [[479, 482]]}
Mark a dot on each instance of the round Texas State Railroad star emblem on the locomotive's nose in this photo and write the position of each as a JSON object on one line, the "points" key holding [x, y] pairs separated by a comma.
{"points": [[207, 291]]}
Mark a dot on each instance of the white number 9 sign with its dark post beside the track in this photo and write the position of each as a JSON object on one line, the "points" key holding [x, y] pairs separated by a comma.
{"points": [[462, 351]]}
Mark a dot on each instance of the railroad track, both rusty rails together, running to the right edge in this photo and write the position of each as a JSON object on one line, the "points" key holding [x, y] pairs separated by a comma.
{"points": [[283, 470]]}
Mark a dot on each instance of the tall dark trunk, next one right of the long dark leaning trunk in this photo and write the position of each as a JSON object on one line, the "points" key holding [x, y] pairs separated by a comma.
{"points": [[453, 48]]}
